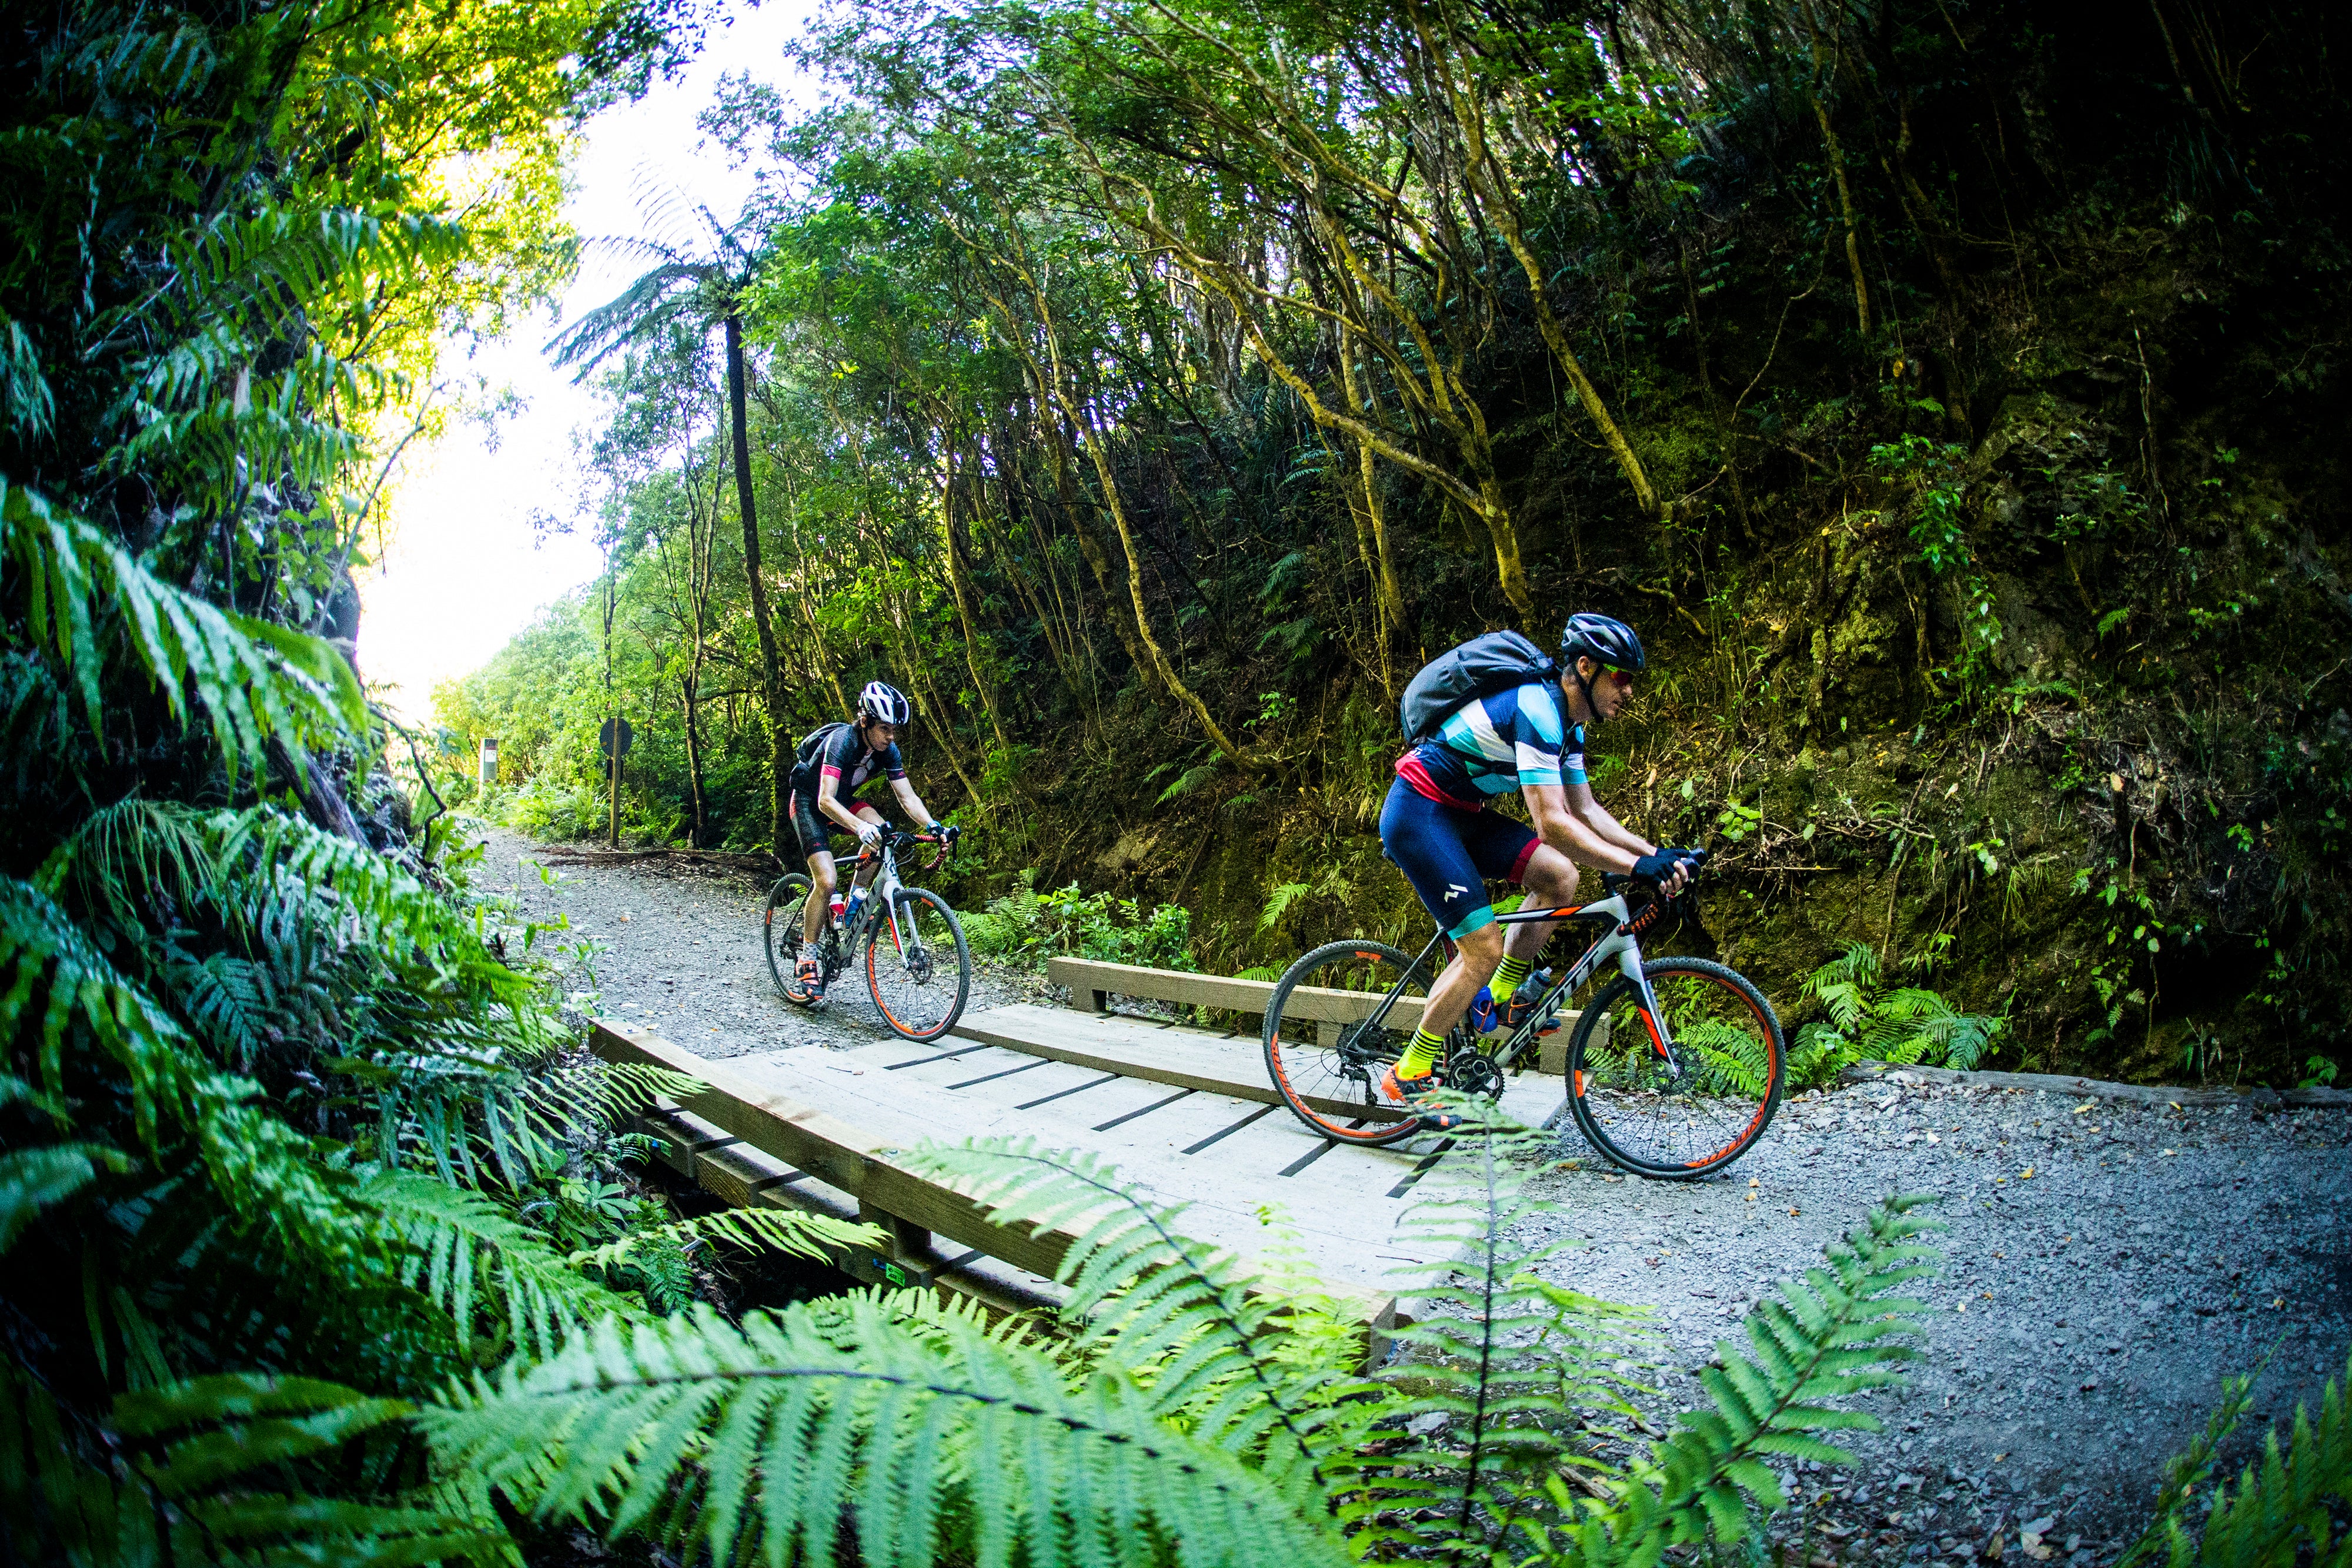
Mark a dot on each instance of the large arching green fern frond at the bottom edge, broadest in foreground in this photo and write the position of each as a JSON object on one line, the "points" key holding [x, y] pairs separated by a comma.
{"points": [[761, 1442]]}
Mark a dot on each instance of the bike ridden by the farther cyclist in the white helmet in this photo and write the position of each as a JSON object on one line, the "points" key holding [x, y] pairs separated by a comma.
{"points": [[918, 965]]}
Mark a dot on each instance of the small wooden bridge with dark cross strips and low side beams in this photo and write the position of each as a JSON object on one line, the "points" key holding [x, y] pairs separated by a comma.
{"points": [[1187, 1113]]}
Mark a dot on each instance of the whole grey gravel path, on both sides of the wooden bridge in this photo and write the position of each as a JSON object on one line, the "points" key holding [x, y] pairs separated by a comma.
{"points": [[2104, 1266]]}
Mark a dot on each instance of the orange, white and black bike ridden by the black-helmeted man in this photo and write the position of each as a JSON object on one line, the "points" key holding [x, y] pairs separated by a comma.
{"points": [[1673, 1071]]}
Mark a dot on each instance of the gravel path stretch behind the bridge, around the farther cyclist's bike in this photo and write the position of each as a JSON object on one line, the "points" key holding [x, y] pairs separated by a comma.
{"points": [[679, 951]]}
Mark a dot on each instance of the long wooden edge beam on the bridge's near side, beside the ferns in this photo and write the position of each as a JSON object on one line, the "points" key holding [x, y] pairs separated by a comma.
{"points": [[869, 1167]]}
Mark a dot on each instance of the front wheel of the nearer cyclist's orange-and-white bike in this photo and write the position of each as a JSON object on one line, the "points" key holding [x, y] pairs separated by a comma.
{"points": [[1699, 1111]]}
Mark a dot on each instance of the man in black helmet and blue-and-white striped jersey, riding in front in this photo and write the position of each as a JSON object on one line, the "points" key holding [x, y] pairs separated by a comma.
{"points": [[1448, 840]]}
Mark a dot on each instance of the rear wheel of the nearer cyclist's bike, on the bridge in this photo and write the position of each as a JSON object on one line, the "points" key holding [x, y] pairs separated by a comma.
{"points": [[1332, 1031]]}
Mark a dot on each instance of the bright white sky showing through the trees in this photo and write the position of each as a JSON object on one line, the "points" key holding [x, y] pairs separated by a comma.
{"points": [[462, 572]]}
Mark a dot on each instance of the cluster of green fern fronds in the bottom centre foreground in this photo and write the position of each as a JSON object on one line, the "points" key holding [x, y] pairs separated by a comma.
{"points": [[1203, 1412]]}
